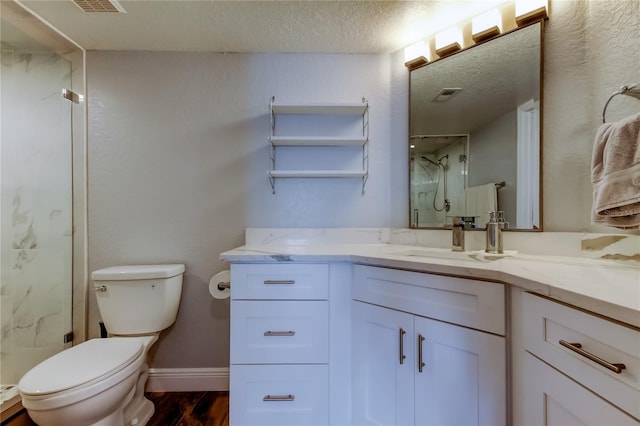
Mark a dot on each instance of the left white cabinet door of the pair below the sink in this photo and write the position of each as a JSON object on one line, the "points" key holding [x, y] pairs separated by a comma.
{"points": [[383, 365]]}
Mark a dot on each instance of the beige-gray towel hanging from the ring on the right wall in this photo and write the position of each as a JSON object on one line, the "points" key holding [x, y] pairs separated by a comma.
{"points": [[615, 174]]}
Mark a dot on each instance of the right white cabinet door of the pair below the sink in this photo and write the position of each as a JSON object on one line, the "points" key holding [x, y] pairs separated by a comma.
{"points": [[463, 376]]}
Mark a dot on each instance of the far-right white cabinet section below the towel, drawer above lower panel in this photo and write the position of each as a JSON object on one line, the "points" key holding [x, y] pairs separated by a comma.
{"points": [[577, 367]]}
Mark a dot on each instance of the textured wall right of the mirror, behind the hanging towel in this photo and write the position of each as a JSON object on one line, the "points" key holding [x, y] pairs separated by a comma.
{"points": [[591, 48]]}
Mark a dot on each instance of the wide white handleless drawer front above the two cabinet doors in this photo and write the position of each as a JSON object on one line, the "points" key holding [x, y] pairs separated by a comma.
{"points": [[471, 303]]}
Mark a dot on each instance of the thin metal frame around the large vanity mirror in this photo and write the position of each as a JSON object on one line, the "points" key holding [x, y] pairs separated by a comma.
{"points": [[541, 114]]}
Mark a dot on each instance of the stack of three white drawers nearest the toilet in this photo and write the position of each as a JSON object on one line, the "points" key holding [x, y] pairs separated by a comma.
{"points": [[279, 373]]}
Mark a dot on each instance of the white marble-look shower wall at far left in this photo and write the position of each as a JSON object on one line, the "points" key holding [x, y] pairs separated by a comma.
{"points": [[35, 210]]}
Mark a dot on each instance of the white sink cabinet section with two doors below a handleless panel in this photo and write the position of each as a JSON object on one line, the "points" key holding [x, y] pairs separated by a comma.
{"points": [[427, 349]]}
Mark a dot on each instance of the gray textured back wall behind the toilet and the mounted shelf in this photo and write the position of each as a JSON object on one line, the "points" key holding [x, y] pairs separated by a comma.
{"points": [[178, 159]]}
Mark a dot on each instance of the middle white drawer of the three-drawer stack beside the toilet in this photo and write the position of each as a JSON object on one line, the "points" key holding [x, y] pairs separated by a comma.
{"points": [[280, 332]]}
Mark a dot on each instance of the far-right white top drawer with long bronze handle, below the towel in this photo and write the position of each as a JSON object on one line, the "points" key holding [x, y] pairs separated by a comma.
{"points": [[548, 323]]}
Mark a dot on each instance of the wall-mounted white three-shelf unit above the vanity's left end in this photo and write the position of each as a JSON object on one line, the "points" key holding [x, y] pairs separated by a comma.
{"points": [[341, 126]]}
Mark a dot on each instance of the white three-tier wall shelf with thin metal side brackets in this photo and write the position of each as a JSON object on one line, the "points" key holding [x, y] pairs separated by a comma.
{"points": [[359, 111]]}
